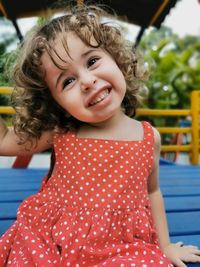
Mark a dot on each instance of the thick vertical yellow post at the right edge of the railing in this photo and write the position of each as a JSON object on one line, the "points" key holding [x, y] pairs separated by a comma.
{"points": [[195, 109]]}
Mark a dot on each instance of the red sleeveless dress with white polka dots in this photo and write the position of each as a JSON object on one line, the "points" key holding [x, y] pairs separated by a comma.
{"points": [[93, 211]]}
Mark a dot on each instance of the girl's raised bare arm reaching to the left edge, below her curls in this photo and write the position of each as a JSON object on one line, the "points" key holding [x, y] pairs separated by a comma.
{"points": [[9, 142]]}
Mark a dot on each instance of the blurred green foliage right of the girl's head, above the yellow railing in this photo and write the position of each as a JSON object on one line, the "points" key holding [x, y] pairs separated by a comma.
{"points": [[174, 65]]}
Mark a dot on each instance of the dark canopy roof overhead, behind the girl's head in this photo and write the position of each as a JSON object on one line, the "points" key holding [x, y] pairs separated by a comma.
{"points": [[144, 13]]}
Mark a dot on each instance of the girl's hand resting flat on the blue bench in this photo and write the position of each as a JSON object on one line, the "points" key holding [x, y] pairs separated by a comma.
{"points": [[179, 253]]}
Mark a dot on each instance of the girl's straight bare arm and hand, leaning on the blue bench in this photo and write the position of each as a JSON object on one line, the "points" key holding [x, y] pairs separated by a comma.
{"points": [[177, 253]]}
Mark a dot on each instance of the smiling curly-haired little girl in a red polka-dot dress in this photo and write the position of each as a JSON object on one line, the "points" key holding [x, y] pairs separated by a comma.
{"points": [[76, 90]]}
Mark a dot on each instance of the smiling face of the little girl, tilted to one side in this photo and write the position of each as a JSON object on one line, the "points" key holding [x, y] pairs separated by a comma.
{"points": [[88, 84]]}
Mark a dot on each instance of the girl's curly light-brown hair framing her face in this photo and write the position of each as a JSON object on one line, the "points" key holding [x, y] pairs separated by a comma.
{"points": [[36, 110]]}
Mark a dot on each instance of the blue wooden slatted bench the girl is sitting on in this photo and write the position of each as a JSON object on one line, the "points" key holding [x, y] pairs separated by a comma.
{"points": [[180, 185]]}
